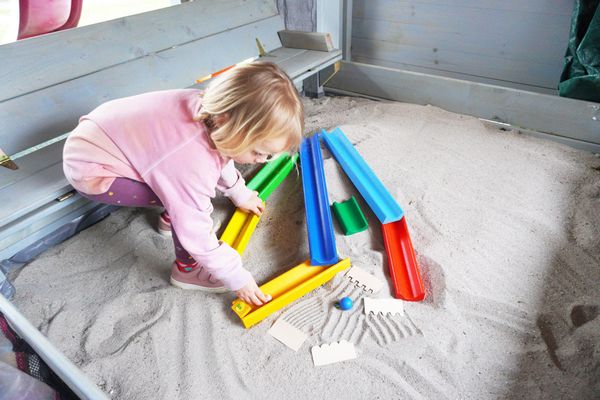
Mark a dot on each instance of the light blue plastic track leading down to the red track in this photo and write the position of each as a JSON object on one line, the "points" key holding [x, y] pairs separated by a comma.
{"points": [[370, 187]]}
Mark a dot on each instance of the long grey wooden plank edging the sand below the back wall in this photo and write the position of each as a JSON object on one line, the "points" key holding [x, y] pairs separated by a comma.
{"points": [[569, 118]]}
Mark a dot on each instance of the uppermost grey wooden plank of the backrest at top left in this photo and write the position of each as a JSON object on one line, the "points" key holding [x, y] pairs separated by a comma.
{"points": [[47, 60]]}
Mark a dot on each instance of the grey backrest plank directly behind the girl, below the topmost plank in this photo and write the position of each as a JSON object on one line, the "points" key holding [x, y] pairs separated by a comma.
{"points": [[58, 108]]}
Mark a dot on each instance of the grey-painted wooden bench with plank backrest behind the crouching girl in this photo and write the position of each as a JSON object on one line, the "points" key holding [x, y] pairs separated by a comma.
{"points": [[48, 82]]}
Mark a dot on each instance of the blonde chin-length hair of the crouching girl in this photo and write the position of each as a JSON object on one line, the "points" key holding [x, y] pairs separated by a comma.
{"points": [[260, 103]]}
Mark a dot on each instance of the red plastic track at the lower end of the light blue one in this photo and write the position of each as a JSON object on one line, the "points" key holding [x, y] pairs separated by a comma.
{"points": [[403, 266]]}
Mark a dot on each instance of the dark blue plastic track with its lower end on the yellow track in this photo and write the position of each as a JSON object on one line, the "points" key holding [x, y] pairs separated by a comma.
{"points": [[321, 238]]}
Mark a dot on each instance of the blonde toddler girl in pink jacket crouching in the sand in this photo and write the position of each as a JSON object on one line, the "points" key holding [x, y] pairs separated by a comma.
{"points": [[174, 148]]}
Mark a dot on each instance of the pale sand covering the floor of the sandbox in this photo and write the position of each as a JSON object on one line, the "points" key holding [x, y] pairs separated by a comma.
{"points": [[506, 229]]}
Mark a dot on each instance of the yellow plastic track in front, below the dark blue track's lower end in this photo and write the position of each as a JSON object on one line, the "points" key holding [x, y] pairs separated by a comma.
{"points": [[286, 288]]}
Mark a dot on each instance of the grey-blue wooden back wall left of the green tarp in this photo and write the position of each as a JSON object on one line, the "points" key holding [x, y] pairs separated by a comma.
{"points": [[514, 43]]}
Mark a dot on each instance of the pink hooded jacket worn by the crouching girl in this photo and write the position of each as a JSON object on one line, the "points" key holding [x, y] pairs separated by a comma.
{"points": [[153, 138]]}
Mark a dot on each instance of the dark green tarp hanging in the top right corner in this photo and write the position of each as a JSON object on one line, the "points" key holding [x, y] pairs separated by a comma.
{"points": [[580, 78]]}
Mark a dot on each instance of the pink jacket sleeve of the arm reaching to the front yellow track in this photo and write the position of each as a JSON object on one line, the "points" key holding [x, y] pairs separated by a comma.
{"points": [[186, 196]]}
